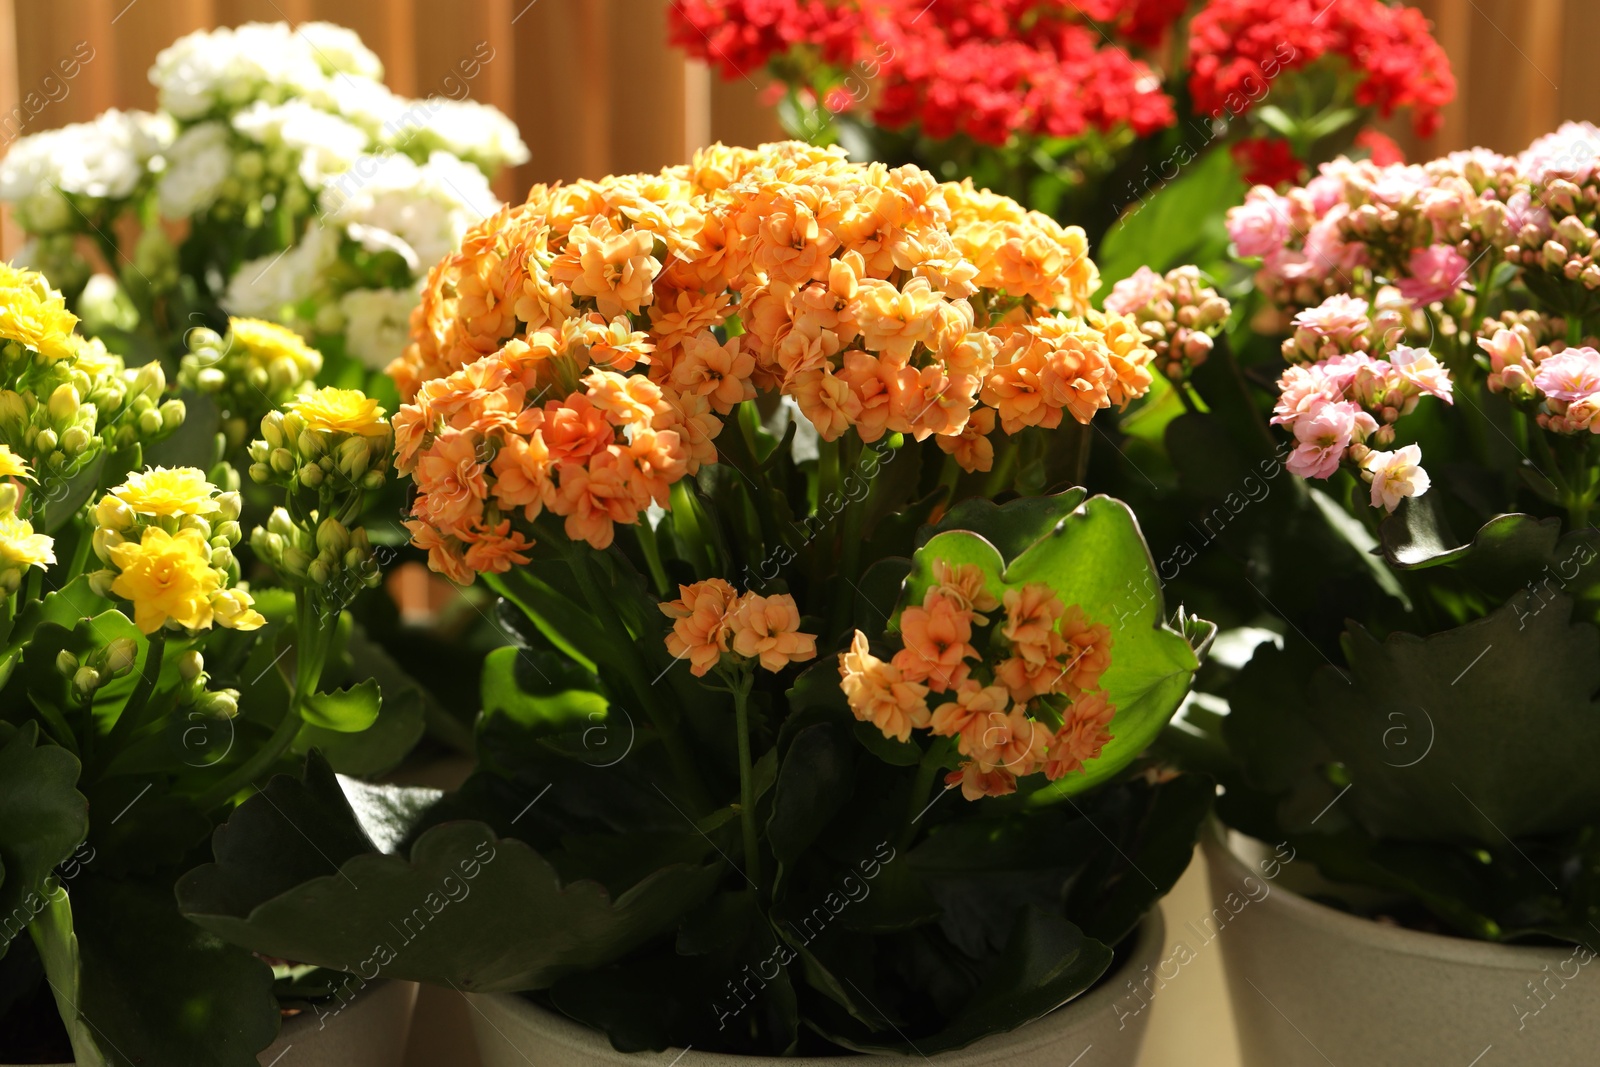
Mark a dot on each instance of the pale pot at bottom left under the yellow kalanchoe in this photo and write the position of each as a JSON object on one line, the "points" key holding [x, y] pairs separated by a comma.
{"points": [[370, 1033]]}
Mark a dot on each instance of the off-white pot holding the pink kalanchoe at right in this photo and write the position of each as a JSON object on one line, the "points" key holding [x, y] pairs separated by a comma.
{"points": [[1314, 986]]}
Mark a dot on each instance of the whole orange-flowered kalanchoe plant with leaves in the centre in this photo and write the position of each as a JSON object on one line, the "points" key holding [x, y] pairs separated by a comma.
{"points": [[788, 695]]}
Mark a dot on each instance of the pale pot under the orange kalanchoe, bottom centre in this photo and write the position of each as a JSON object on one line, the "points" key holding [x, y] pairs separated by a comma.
{"points": [[1086, 1033]]}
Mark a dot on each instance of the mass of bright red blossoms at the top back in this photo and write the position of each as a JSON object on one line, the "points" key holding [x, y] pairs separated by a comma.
{"points": [[1074, 70]]}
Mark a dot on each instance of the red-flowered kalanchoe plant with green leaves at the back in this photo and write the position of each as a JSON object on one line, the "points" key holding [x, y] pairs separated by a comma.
{"points": [[1082, 108]]}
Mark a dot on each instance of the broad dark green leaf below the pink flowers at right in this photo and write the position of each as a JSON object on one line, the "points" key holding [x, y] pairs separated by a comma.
{"points": [[1500, 717]]}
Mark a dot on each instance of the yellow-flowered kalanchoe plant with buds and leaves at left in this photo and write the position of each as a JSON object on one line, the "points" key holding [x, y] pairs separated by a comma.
{"points": [[146, 687]]}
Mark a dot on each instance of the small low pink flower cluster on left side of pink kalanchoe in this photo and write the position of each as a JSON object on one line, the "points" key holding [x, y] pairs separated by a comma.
{"points": [[1342, 401]]}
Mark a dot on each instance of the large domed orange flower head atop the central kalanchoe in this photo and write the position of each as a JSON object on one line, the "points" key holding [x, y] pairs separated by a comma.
{"points": [[578, 356]]}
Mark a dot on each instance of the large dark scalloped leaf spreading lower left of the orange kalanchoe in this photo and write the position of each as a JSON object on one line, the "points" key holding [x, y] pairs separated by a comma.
{"points": [[466, 908]]}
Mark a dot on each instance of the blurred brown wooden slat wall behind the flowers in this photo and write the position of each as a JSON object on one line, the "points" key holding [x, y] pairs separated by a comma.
{"points": [[596, 89]]}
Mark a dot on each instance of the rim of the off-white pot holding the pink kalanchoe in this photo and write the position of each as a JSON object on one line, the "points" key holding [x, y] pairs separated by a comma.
{"points": [[1414, 943]]}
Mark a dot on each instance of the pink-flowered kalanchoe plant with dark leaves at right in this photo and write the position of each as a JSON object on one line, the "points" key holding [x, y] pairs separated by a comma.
{"points": [[1422, 719]]}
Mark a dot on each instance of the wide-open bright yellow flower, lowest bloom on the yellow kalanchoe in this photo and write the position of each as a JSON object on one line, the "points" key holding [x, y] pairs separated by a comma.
{"points": [[167, 578]]}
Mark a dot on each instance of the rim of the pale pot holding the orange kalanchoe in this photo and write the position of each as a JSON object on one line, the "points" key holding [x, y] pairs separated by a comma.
{"points": [[1148, 945]]}
